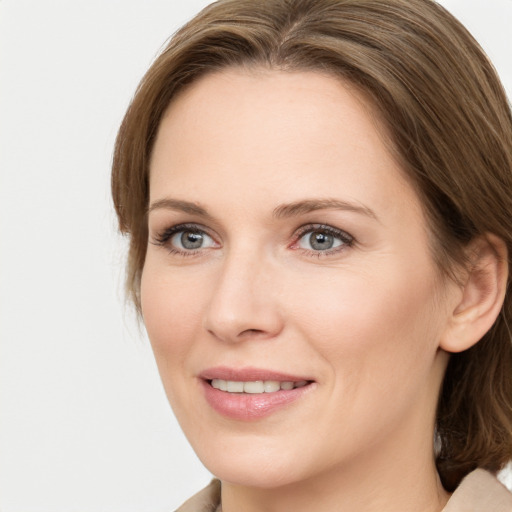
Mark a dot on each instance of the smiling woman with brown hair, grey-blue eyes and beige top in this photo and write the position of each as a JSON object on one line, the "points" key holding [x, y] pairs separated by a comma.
{"points": [[317, 194]]}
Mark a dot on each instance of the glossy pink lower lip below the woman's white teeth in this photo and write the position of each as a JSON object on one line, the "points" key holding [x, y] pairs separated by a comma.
{"points": [[250, 407]]}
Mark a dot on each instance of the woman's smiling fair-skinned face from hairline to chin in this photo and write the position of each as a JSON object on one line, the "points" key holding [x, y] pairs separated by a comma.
{"points": [[289, 292]]}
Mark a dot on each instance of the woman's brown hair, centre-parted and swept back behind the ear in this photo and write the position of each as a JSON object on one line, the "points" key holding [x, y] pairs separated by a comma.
{"points": [[450, 124]]}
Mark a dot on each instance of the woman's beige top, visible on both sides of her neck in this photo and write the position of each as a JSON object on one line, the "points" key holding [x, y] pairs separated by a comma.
{"points": [[478, 492]]}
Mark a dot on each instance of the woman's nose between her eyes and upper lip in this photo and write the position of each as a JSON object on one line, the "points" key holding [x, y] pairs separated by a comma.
{"points": [[245, 301]]}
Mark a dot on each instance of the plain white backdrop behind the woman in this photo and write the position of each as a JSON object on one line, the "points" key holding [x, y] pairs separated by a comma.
{"points": [[84, 423]]}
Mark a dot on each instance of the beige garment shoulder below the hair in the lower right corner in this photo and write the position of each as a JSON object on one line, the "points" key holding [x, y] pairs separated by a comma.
{"points": [[480, 492]]}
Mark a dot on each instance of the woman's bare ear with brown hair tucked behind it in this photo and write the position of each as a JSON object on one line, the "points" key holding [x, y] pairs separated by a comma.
{"points": [[480, 296]]}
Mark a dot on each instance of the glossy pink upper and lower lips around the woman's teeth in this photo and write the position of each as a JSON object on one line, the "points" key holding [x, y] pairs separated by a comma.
{"points": [[250, 407]]}
